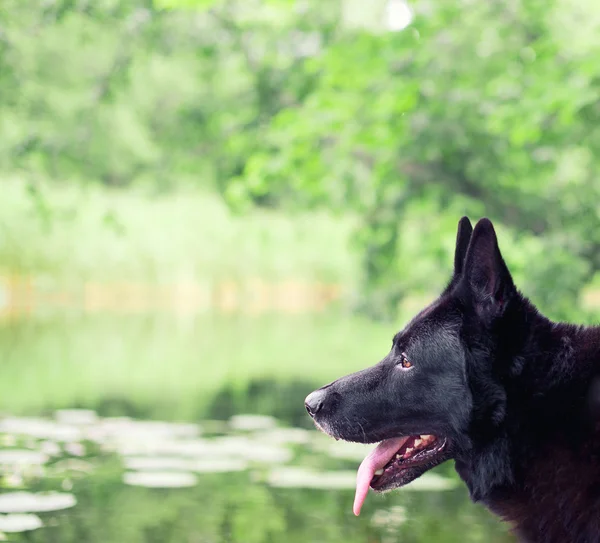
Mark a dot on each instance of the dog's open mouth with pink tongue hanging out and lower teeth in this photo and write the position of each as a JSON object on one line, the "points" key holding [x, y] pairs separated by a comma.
{"points": [[396, 462]]}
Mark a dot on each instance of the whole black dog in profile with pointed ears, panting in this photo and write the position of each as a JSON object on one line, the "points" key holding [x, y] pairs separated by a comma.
{"points": [[481, 377]]}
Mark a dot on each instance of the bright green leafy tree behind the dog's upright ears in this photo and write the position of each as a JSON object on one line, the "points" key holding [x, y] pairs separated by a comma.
{"points": [[477, 108]]}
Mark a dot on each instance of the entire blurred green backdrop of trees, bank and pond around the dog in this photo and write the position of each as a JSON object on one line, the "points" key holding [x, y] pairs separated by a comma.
{"points": [[209, 208]]}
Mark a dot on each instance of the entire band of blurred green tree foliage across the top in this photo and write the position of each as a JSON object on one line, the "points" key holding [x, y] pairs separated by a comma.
{"points": [[474, 108]]}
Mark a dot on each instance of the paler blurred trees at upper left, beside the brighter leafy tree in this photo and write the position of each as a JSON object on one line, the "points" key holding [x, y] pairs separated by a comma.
{"points": [[122, 91]]}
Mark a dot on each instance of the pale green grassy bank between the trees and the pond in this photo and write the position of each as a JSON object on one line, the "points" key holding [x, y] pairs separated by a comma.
{"points": [[75, 233]]}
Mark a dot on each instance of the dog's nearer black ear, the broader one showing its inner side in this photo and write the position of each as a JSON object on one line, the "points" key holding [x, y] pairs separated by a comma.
{"points": [[488, 277]]}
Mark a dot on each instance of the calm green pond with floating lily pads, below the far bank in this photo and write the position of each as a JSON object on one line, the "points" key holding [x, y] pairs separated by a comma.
{"points": [[86, 456]]}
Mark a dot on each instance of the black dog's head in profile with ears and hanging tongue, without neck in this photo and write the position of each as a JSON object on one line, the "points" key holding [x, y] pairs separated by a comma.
{"points": [[441, 382]]}
